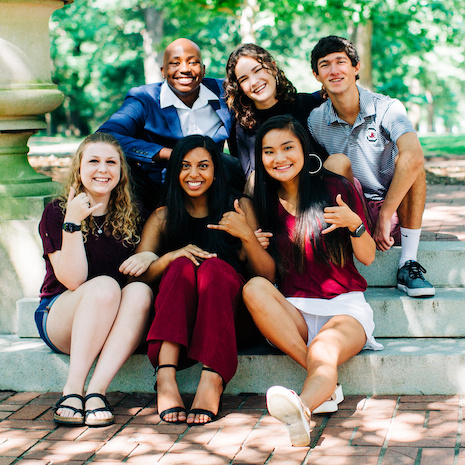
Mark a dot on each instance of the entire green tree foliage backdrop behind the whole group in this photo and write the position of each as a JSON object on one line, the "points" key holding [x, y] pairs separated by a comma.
{"points": [[97, 46]]}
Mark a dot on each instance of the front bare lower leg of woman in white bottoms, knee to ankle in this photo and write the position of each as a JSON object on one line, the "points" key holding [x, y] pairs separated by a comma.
{"points": [[339, 339]]}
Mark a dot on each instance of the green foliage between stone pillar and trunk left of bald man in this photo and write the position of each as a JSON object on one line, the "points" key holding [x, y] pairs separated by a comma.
{"points": [[96, 52]]}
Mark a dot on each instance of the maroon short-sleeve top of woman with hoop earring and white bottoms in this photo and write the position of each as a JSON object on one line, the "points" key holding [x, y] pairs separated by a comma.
{"points": [[321, 280]]}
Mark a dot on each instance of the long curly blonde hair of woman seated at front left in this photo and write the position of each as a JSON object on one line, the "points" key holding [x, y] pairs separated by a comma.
{"points": [[123, 220]]}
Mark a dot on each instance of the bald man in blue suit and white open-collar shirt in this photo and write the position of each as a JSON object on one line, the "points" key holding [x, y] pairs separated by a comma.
{"points": [[154, 117]]}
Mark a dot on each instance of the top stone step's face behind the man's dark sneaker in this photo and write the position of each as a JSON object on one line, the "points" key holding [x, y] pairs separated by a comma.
{"points": [[443, 260]]}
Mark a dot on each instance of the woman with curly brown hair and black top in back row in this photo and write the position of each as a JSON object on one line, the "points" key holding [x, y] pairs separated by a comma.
{"points": [[257, 89]]}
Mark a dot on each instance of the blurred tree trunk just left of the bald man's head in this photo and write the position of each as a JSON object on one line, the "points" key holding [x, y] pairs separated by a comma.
{"points": [[152, 35]]}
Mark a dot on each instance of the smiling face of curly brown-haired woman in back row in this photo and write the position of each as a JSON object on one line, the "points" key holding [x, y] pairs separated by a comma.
{"points": [[256, 81]]}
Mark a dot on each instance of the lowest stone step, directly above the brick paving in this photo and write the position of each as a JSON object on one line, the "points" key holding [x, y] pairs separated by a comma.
{"points": [[406, 366]]}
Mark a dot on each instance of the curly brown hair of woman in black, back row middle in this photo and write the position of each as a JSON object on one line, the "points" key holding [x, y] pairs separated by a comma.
{"points": [[243, 107]]}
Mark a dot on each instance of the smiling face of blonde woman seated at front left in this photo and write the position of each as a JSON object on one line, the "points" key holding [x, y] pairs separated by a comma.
{"points": [[100, 169]]}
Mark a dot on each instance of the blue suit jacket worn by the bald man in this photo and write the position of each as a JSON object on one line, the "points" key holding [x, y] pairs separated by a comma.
{"points": [[143, 128]]}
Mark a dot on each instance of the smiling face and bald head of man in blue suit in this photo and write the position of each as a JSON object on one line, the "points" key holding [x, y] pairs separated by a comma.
{"points": [[183, 69]]}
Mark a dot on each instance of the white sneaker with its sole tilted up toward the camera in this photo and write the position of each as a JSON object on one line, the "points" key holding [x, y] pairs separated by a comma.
{"points": [[286, 406]]}
